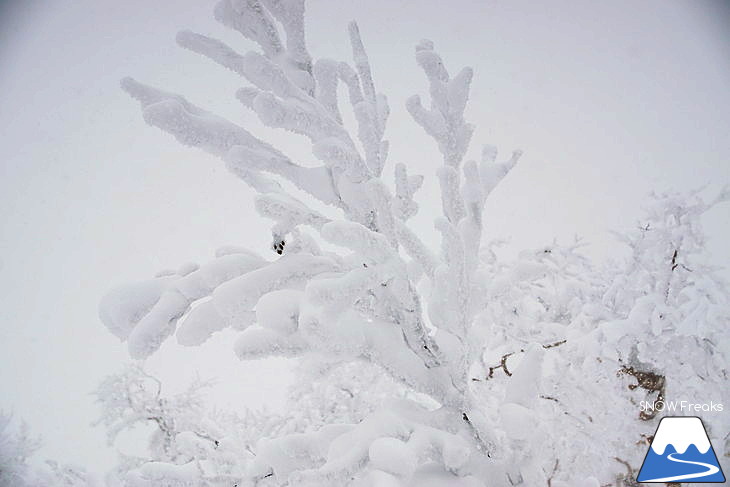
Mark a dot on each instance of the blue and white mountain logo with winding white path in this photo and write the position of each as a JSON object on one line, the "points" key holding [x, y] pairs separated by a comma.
{"points": [[681, 452]]}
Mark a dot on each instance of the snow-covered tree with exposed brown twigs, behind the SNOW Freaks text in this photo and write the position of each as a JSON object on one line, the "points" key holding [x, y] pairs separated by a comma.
{"points": [[651, 329]]}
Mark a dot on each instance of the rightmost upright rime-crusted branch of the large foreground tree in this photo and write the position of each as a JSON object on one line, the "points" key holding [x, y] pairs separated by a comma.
{"points": [[462, 198]]}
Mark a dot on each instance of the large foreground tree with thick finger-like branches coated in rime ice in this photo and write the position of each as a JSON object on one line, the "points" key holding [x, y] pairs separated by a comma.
{"points": [[363, 303]]}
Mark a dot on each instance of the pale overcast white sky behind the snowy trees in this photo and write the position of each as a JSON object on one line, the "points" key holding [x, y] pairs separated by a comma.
{"points": [[609, 100]]}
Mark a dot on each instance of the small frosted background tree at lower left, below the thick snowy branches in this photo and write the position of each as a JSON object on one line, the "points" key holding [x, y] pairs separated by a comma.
{"points": [[187, 441]]}
